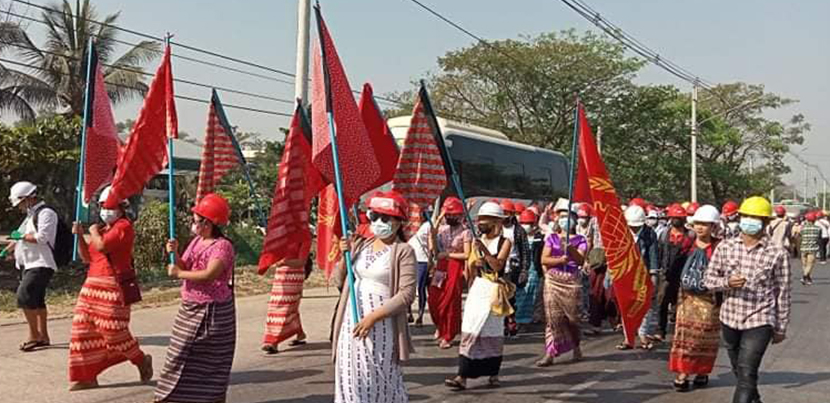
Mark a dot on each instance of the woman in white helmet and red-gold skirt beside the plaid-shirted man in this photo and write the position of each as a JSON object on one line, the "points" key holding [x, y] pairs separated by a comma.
{"points": [[697, 327]]}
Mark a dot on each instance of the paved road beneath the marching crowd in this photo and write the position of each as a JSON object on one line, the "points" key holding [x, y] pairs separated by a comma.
{"points": [[796, 371]]}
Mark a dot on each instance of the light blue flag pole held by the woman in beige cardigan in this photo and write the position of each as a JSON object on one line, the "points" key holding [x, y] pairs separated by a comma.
{"points": [[338, 180]]}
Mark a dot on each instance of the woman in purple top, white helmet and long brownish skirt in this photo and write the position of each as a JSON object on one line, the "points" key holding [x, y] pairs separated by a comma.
{"points": [[563, 287]]}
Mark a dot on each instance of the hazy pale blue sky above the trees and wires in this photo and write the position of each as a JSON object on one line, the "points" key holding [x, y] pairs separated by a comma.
{"points": [[392, 42]]}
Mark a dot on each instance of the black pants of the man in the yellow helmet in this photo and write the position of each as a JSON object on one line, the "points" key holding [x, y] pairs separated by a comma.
{"points": [[746, 349]]}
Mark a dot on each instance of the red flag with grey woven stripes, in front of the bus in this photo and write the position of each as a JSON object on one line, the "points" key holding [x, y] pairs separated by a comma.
{"points": [[420, 176]]}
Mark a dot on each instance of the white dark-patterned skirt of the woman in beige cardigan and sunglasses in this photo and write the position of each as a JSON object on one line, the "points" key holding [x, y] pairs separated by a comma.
{"points": [[366, 370]]}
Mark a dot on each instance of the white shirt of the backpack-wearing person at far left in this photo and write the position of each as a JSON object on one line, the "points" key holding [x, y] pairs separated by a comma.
{"points": [[31, 255]]}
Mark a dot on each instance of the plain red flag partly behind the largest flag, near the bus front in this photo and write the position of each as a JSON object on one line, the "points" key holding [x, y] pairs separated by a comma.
{"points": [[382, 140]]}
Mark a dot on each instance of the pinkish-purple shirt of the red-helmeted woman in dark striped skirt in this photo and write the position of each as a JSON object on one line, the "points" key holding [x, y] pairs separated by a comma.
{"points": [[195, 258]]}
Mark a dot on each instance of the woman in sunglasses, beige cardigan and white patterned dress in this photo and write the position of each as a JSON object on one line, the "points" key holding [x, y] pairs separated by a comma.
{"points": [[368, 353]]}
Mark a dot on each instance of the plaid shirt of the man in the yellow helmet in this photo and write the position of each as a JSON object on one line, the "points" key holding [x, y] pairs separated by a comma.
{"points": [[765, 298]]}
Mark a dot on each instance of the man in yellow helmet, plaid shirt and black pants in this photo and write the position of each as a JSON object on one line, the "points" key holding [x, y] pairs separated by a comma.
{"points": [[754, 274]]}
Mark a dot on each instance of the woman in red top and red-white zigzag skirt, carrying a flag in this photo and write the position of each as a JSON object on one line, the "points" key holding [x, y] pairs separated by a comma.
{"points": [[100, 327]]}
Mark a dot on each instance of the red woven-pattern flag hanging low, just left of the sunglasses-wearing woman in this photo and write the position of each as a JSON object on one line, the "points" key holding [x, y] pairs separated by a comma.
{"points": [[288, 229]]}
